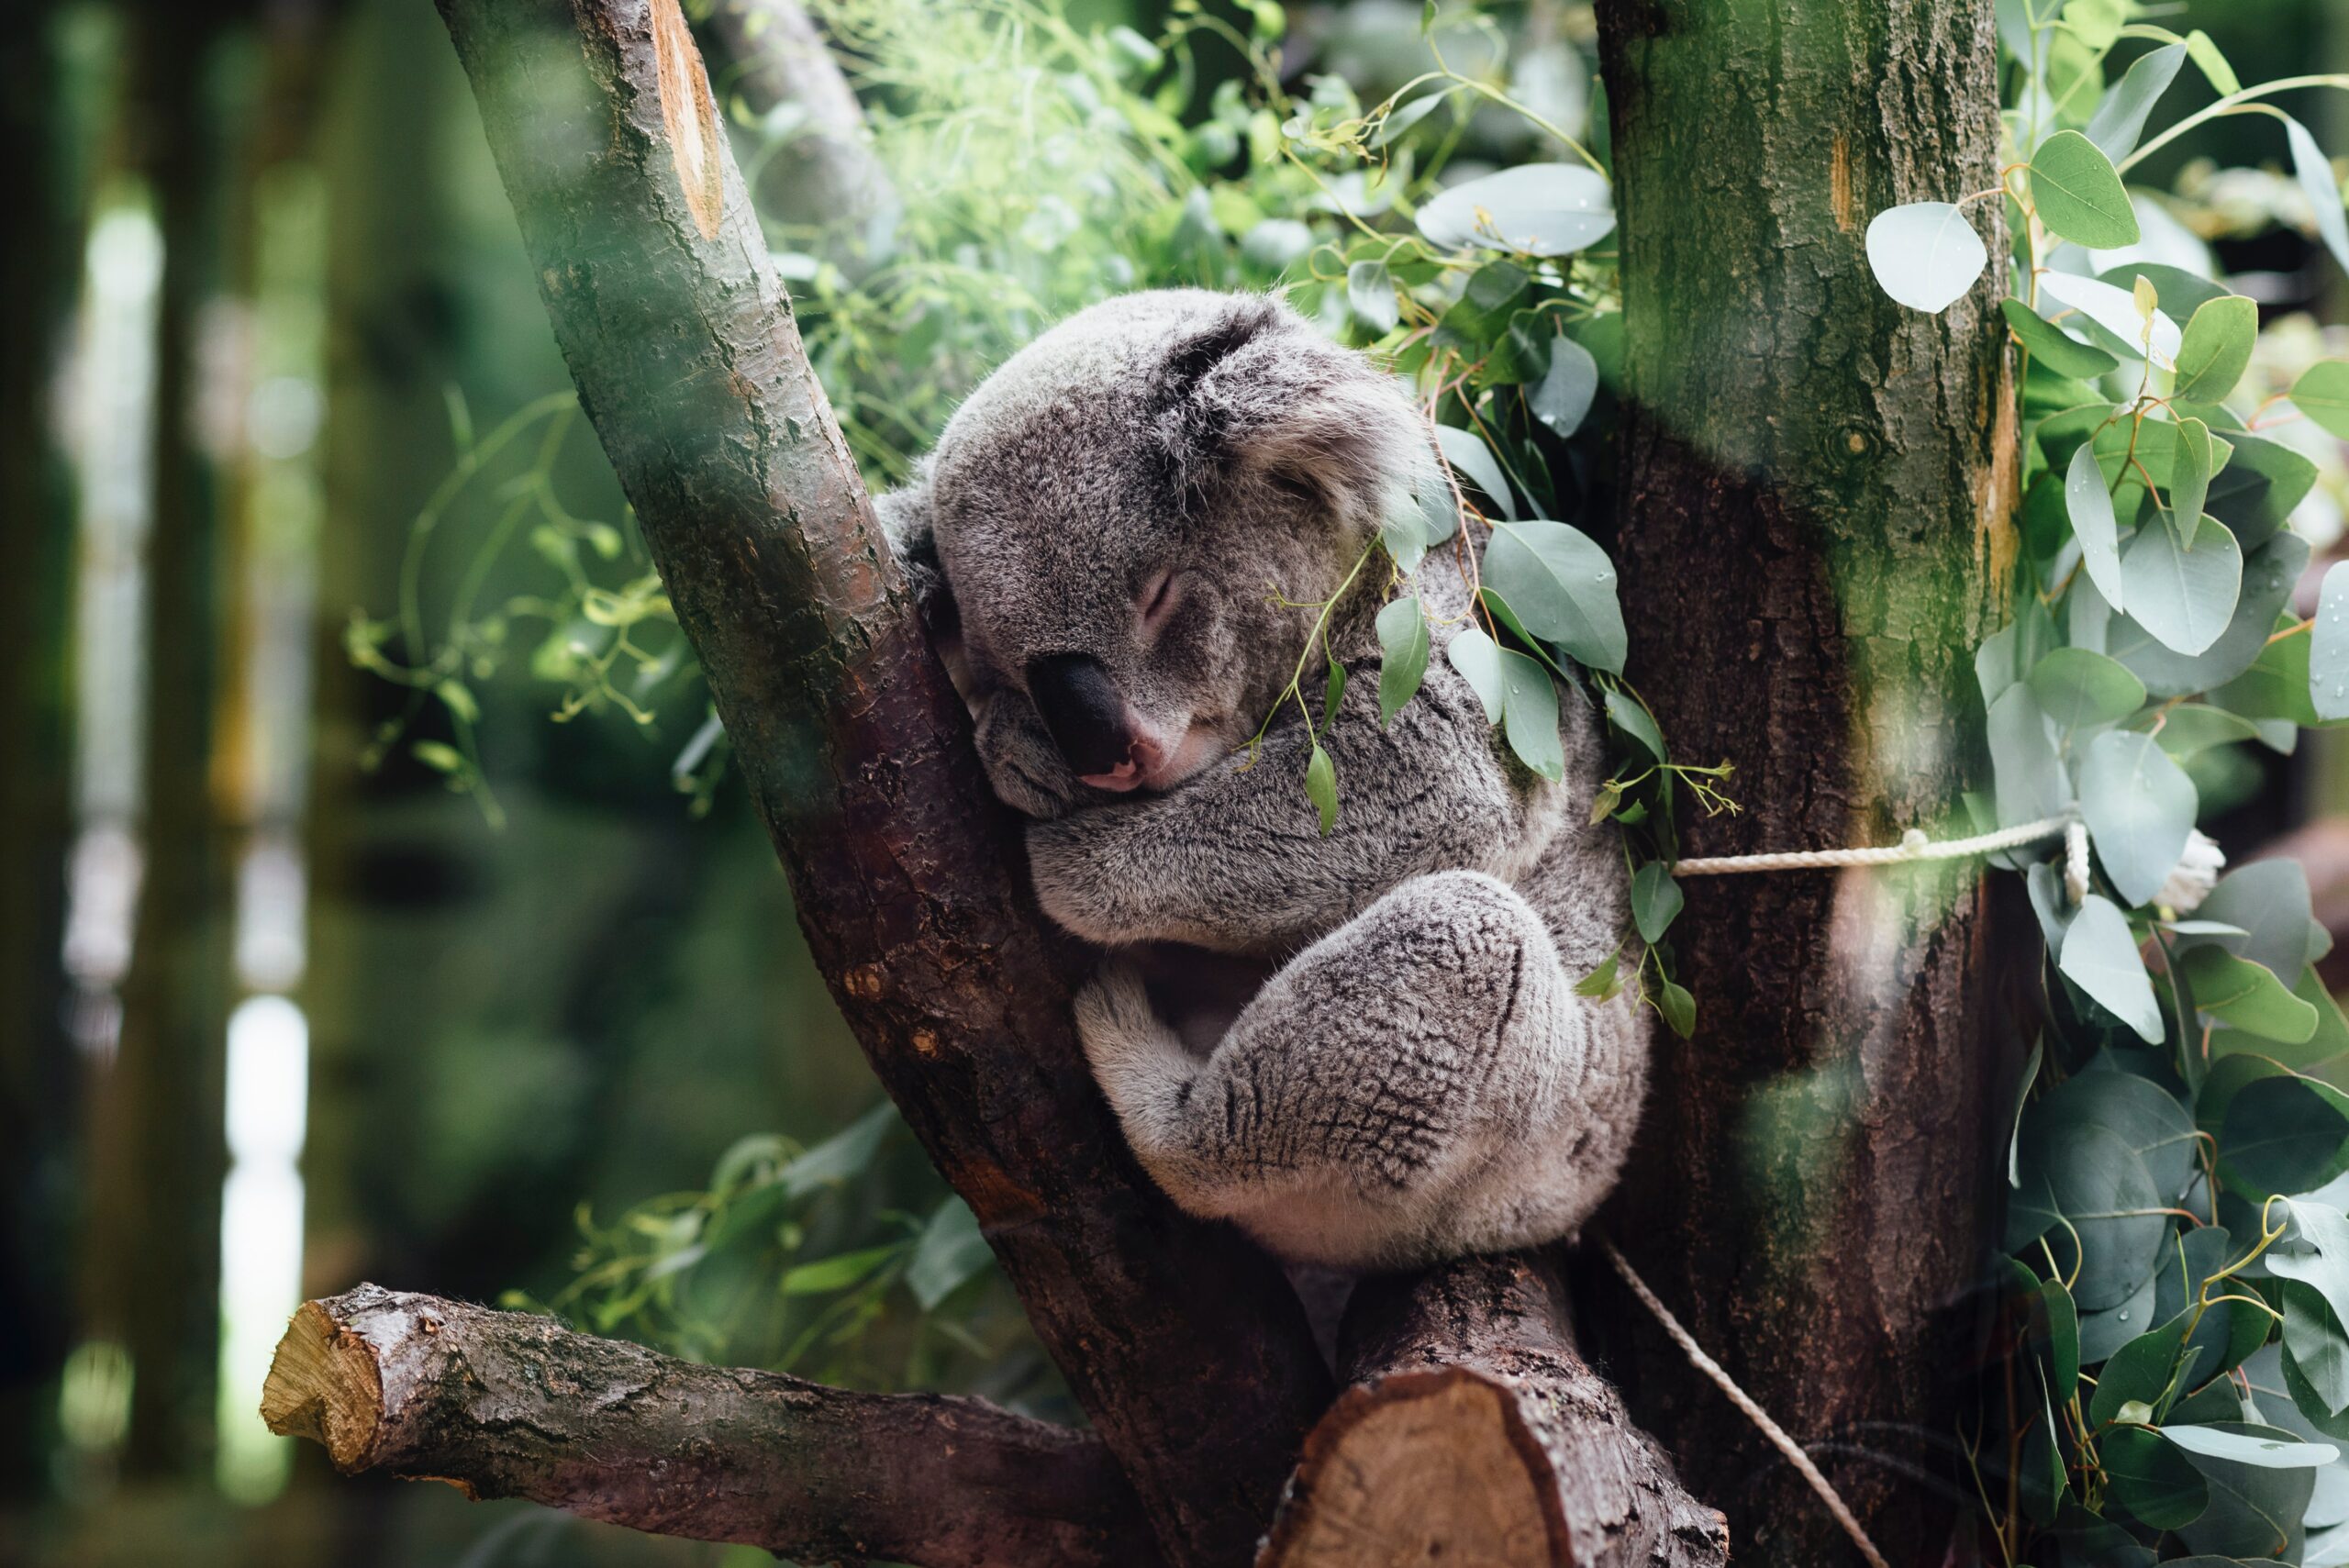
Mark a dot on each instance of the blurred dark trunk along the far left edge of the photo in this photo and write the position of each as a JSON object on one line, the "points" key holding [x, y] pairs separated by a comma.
{"points": [[36, 550]]}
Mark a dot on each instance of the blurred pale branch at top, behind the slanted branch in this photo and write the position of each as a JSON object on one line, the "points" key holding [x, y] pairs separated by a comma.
{"points": [[826, 173]]}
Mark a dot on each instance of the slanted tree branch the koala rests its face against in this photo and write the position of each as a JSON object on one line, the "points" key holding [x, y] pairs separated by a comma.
{"points": [[1185, 1344]]}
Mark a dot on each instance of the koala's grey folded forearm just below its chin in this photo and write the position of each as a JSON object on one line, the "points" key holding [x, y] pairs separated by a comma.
{"points": [[1237, 863]]}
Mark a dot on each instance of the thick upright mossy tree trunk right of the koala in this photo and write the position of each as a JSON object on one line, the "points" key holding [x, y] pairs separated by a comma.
{"points": [[1817, 494]]}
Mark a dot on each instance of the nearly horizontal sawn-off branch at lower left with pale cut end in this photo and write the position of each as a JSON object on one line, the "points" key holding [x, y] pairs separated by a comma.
{"points": [[504, 1405]]}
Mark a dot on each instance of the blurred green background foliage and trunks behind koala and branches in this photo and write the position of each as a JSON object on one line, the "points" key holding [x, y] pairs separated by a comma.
{"points": [[377, 905]]}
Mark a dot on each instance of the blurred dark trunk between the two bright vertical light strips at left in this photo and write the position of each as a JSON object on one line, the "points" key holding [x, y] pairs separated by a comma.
{"points": [[159, 1156]]}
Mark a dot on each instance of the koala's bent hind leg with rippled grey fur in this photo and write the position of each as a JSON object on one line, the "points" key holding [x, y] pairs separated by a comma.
{"points": [[1368, 1097]]}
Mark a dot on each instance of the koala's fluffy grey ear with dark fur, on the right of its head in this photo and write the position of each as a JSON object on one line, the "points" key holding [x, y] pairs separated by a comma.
{"points": [[1263, 398]]}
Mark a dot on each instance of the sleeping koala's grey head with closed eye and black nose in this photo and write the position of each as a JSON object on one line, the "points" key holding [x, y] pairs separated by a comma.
{"points": [[1115, 513]]}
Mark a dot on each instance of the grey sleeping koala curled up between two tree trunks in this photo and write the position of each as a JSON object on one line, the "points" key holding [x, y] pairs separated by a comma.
{"points": [[1404, 1069]]}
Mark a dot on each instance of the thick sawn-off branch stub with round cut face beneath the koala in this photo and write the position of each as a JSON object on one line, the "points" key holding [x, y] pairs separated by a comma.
{"points": [[1474, 1433]]}
